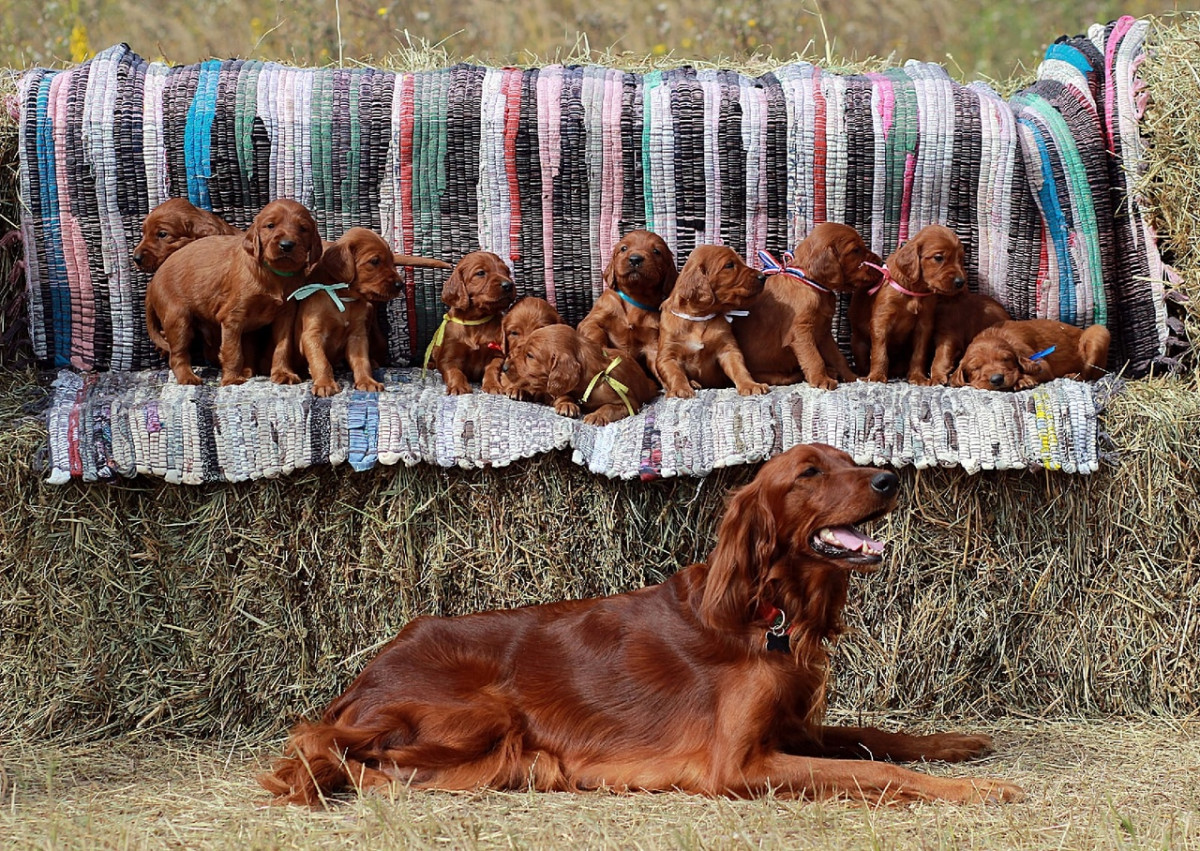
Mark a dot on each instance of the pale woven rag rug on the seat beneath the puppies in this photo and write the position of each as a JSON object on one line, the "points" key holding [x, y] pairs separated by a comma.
{"points": [[105, 425]]}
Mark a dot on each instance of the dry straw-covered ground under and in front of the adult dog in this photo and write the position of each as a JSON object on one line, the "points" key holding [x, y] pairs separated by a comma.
{"points": [[1090, 786]]}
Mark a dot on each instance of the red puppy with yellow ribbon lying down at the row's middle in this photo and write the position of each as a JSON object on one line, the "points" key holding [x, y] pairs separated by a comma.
{"points": [[559, 363]]}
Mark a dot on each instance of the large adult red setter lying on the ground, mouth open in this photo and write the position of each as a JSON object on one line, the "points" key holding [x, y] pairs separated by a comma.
{"points": [[713, 682]]}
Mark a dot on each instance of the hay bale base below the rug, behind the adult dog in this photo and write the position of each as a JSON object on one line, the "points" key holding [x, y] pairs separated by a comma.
{"points": [[239, 608]]}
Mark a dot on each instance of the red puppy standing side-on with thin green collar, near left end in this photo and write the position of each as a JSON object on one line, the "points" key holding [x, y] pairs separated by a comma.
{"points": [[236, 283]]}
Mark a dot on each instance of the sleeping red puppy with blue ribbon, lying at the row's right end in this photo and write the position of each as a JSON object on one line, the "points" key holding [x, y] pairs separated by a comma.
{"points": [[1021, 355]]}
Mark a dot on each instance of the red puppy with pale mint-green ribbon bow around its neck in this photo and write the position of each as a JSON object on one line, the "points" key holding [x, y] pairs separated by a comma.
{"points": [[333, 317]]}
